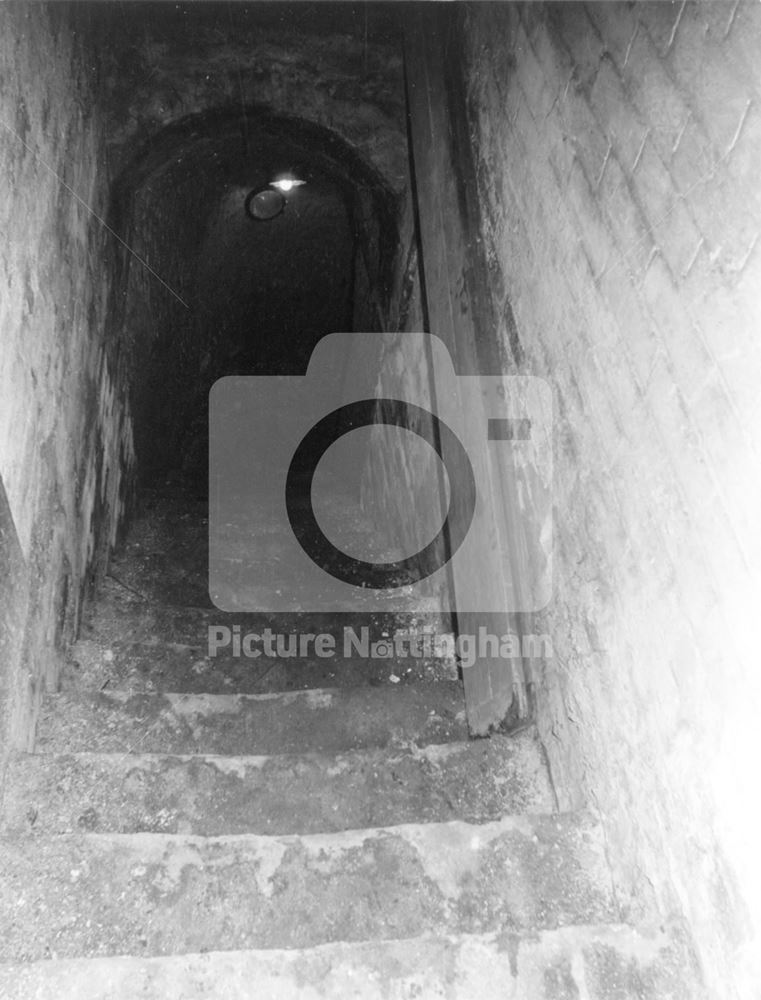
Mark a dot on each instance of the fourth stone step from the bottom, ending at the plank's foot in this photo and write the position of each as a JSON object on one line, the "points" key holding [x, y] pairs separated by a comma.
{"points": [[292, 722]]}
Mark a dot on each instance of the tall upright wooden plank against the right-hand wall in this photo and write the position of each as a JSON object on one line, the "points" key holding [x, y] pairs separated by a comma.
{"points": [[461, 312]]}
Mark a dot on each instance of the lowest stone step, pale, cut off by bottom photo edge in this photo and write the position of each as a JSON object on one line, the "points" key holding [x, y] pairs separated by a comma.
{"points": [[596, 962]]}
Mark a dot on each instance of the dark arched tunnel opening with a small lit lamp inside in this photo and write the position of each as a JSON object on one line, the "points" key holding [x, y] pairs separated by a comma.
{"points": [[227, 293]]}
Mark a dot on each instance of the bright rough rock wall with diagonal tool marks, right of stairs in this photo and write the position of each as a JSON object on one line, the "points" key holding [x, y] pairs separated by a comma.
{"points": [[618, 149]]}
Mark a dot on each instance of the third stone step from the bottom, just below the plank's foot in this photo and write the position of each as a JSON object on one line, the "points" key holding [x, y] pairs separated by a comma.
{"points": [[305, 793]]}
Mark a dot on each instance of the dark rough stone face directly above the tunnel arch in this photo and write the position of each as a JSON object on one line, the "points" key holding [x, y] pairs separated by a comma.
{"points": [[336, 64]]}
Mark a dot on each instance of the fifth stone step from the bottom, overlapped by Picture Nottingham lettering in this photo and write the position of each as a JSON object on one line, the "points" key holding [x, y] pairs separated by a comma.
{"points": [[188, 667]]}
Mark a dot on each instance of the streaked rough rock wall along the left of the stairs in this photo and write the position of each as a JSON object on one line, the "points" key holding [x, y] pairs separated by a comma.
{"points": [[64, 437]]}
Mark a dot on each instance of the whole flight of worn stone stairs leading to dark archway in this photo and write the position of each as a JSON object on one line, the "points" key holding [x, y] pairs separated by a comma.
{"points": [[189, 828]]}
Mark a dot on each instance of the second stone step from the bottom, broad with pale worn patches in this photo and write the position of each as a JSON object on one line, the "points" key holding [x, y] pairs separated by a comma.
{"points": [[152, 894]]}
